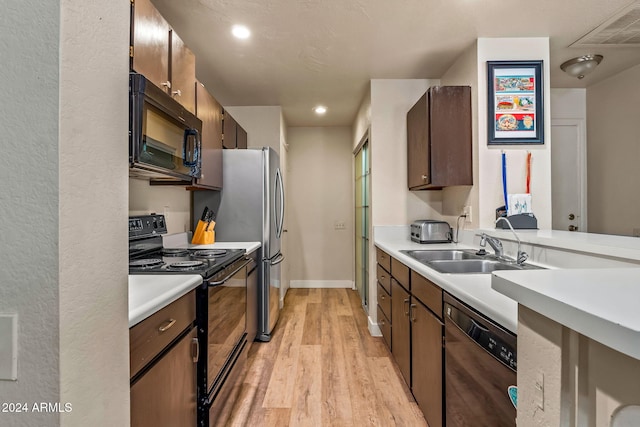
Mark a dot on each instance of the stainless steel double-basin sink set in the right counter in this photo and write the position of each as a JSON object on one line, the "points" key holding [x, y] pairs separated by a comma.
{"points": [[462, 261]]}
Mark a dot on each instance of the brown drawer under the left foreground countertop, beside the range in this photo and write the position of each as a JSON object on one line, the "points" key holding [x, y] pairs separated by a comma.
{"points": [[149, 337]]}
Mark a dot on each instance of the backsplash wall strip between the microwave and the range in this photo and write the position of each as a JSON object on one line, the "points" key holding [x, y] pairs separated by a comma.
{"points": [[174, 202]]}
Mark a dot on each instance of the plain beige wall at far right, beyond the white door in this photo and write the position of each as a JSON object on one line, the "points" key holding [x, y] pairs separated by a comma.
{"points": [[613, 154]]}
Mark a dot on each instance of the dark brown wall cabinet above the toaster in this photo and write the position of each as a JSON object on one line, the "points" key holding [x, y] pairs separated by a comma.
{"points": [[439, 150]]}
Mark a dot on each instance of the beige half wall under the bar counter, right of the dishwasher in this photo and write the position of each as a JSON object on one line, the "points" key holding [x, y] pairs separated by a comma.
{"points": [[585, 382]]}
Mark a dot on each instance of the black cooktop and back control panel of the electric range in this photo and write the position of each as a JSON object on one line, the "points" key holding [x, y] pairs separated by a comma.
{"points": [[148, 256]]}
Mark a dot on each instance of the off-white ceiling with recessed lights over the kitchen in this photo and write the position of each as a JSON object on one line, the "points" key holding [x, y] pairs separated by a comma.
{"points": [[307, 52]]}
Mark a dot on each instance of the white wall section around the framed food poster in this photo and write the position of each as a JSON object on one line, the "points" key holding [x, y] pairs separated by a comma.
{"points": [[489, 158]]}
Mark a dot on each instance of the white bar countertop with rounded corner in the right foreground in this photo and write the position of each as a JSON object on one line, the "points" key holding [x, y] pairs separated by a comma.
{"points": [[601, 304]]}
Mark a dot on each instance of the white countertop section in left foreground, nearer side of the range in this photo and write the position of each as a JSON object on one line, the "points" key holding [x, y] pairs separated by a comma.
{"points": [[149, 293]]}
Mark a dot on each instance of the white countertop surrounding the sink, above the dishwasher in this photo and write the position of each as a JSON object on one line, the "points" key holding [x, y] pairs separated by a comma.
{"points": [[473, 289]]}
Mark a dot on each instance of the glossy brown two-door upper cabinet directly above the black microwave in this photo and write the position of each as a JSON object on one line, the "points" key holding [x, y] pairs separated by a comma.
{"points": [[159, 54]]}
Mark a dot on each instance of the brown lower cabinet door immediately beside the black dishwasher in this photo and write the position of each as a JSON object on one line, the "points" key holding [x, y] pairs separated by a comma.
{"points": [[427, 359]]}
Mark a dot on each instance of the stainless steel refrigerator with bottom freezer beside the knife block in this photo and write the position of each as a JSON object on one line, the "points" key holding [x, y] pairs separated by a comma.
{"points": [[252, 209]]}
